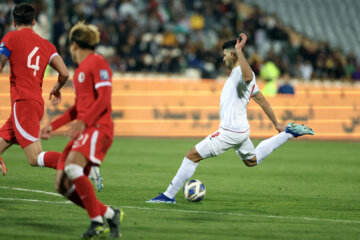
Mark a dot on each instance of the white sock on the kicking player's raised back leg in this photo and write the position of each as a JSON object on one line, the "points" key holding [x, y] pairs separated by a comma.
{"points": [[269, 145]]}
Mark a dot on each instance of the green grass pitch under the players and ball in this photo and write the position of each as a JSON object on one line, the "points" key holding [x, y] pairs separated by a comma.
{"points": [[304, 190]]}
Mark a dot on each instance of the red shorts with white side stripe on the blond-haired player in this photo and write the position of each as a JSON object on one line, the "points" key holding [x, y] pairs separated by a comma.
{"points": [[92, 143]]}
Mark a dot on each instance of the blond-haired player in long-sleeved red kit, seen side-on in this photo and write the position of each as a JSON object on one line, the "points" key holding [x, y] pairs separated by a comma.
{"points": [[92, 132]]}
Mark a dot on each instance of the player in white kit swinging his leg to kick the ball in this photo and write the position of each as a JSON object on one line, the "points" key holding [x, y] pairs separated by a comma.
{"points": [[234, 128]]}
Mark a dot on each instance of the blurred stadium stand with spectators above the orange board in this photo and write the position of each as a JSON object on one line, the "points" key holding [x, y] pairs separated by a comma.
{"points": [[185, 37]]}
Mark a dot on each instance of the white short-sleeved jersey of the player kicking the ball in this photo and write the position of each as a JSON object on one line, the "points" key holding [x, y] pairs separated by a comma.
{"points": [[234, 99]]}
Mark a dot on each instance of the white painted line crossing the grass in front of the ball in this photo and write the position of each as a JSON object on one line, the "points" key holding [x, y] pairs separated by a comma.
{"points": [[203, 212]]}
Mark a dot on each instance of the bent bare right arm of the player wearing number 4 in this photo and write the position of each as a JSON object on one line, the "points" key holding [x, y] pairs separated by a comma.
{"points": [[58, 64]]}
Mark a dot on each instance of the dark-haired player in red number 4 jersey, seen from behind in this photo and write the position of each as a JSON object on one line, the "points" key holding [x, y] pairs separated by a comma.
{"points": [[28, 55]]}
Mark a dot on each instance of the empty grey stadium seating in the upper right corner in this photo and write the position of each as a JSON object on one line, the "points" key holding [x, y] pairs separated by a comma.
{"points": [[323, 20]]}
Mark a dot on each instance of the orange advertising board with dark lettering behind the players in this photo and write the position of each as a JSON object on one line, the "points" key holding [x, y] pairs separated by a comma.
{"points": [[183, 108]]}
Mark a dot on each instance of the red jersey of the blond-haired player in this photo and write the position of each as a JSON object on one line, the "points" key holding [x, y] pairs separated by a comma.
{"points": [[93, 73]]}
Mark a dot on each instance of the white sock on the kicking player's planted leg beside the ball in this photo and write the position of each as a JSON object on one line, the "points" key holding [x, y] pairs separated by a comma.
{"points": [[186, 170]]}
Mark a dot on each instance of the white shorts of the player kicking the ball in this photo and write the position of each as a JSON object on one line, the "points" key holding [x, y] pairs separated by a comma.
{"points": [[222, 140]]}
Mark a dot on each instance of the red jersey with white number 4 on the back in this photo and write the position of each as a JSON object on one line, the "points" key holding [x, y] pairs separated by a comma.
{"points": [[29, 57]]}
